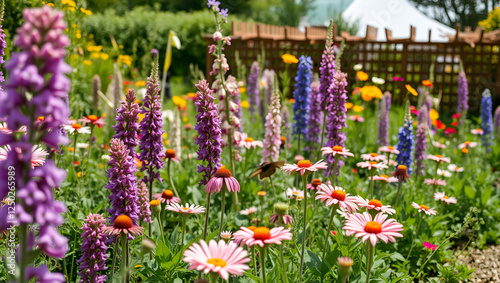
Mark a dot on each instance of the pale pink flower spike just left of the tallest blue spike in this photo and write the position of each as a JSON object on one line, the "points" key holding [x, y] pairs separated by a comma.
{"points": [[272, 140]]}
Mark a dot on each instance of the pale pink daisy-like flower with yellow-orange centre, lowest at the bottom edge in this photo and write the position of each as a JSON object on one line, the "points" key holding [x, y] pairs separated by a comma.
{"points": [[221, 258]]}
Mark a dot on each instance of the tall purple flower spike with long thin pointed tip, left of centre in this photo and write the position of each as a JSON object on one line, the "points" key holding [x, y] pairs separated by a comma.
{"points": [[151, 144]]}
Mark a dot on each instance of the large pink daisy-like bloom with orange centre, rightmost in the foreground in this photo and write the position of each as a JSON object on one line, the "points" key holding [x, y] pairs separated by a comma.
{"points": [[362, 225]]}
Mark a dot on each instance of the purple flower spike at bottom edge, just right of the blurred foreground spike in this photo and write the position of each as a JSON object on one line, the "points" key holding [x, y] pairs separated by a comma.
{"points": [[93, 250]]}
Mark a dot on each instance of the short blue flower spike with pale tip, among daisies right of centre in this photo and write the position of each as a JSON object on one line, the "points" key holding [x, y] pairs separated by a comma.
{"points": [[406, 142]]}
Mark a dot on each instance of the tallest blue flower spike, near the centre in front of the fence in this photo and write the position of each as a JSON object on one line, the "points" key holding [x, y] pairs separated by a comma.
{"points": [[301, 96]]}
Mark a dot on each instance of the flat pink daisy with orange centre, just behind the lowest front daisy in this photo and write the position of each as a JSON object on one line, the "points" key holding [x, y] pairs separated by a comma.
{"points": [[262, 236]]}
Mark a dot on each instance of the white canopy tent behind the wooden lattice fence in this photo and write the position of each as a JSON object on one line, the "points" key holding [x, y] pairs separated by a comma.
{"points": [[396, 15]]}
